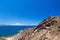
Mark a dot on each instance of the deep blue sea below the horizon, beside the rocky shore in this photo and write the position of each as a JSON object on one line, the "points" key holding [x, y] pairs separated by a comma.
{"points": [[11, 30]]}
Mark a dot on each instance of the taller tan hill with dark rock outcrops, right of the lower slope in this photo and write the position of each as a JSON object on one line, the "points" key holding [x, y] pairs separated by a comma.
{"points": [[49, 29]]}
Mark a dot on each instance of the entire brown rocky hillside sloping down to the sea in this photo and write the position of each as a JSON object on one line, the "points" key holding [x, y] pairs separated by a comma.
{"points": [[48, 29]]}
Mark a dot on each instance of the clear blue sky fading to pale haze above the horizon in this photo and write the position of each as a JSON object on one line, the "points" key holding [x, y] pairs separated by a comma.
{"points": [[27, 12]]}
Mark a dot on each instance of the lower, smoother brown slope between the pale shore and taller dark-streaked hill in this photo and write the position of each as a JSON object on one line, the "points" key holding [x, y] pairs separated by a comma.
{"points": [[26, 34]]}
